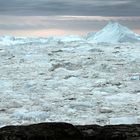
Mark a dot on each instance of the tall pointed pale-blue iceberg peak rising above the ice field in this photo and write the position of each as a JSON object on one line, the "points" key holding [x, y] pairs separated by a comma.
{"points": [[114, 32]]}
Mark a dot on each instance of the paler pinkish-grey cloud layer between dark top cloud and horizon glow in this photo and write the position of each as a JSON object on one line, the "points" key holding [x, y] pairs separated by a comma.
{"points": [[65, 24]]}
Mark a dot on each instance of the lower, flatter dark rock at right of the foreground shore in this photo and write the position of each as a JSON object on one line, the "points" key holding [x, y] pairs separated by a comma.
{"points": [[110, 132]]}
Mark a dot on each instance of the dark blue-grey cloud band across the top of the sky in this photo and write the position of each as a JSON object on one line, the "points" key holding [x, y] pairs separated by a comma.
{"points": [[70, 7]]}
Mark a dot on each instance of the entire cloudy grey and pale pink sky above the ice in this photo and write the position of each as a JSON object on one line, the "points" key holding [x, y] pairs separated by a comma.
{"points": [[64, 17]]}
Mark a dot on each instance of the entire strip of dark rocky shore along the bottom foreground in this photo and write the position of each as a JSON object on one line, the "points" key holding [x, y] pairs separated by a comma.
{"points": [[64, 131]]}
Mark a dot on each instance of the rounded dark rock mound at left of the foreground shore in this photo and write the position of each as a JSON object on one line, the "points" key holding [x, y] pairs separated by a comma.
{"points": [[42, 131]]}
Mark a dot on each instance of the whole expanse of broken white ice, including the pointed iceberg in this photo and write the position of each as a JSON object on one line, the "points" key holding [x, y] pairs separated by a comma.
{"points": [[71, 78]]}
